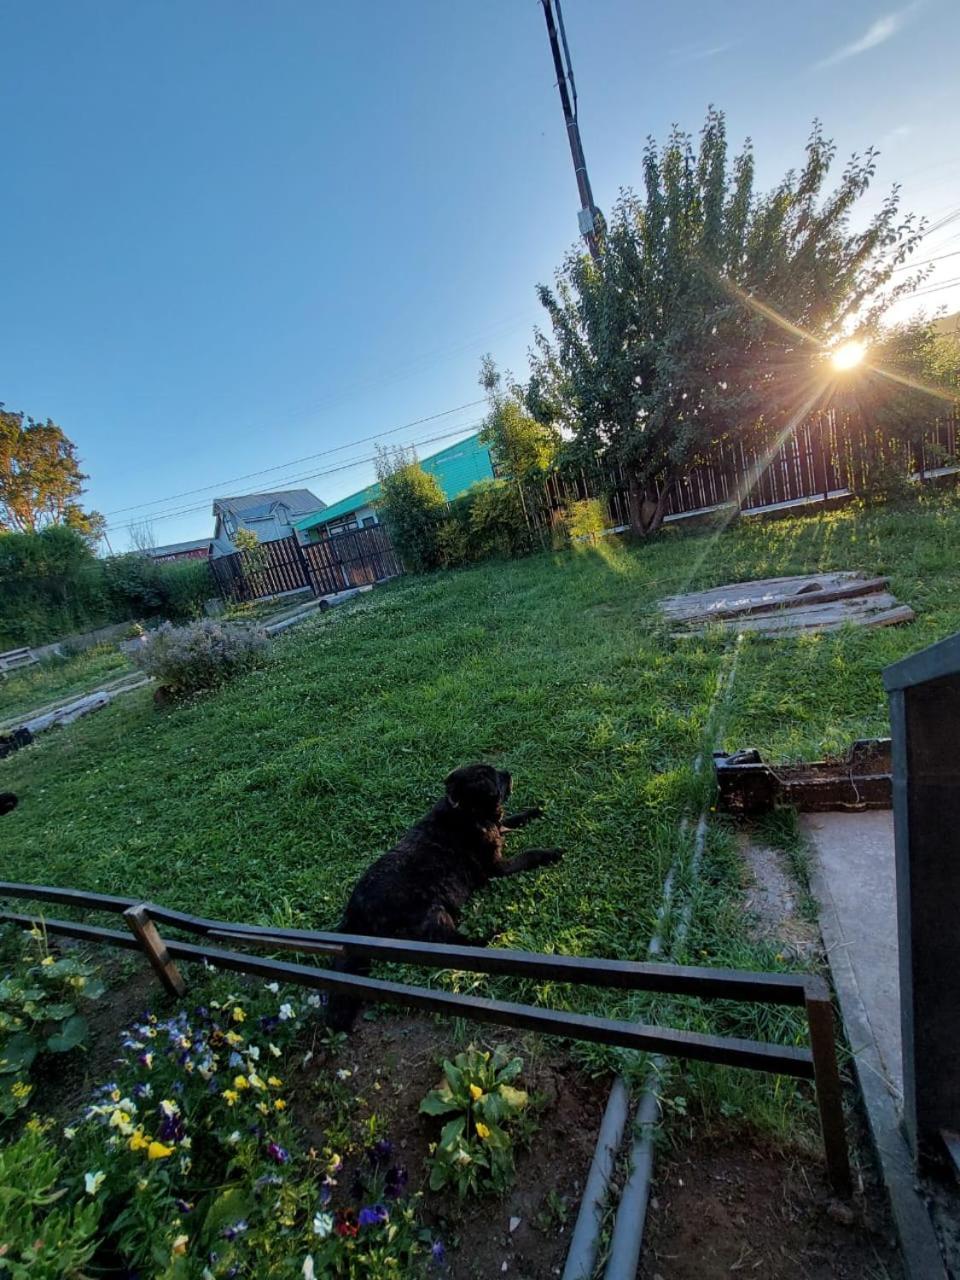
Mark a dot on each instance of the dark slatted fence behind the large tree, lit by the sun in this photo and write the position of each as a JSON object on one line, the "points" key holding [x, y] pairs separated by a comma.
{"points": [[830, 455]]}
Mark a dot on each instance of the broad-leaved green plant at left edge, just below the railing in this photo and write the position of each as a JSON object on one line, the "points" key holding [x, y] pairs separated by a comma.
{"points": [[40, 998]]}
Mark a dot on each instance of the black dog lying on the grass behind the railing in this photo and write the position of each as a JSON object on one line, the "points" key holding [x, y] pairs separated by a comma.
{"points": [[419, 889]]}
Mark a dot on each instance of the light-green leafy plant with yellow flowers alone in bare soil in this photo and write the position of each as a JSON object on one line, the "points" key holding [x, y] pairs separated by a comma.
{"points": [[476, 1150]]}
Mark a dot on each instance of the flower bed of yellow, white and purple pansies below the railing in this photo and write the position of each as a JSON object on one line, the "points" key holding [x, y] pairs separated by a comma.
{"points": [[231, 1136]]}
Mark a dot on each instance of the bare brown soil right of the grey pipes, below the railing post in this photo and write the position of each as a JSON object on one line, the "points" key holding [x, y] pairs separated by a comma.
{"points": [[728, 1210]]}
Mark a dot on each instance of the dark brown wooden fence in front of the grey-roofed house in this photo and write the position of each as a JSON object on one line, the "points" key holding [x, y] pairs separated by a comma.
{"points": [[355, 559]]}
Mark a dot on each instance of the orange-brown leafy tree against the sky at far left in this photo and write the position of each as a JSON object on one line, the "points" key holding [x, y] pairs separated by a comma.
{"points": [[40, 479]]}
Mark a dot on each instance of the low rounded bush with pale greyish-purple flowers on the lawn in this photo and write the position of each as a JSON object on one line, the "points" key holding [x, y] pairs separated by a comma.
{"points": [[202, 656]]}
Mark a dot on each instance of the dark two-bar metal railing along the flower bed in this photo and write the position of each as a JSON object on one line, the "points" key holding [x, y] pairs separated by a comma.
{"points": [[808, 991]]}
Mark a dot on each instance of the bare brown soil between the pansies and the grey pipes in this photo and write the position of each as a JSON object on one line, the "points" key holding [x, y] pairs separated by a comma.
{"points": [[395, 1062]]}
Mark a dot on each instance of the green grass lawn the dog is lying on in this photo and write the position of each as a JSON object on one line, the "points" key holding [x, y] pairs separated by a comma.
{"points": [[266, 802]]}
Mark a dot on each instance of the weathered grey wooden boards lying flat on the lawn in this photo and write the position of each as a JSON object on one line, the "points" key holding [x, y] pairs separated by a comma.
{"points": [[787, 606]]}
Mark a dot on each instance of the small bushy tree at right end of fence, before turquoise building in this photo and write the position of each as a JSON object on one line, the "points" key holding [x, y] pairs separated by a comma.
{"points": [[413, 508]]}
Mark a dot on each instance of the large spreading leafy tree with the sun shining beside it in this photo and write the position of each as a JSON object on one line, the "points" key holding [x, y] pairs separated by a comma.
{"points": [[710, 309]]}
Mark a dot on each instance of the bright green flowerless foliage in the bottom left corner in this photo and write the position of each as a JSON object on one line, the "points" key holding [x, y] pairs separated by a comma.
{"points": [[42, 1237]]}
